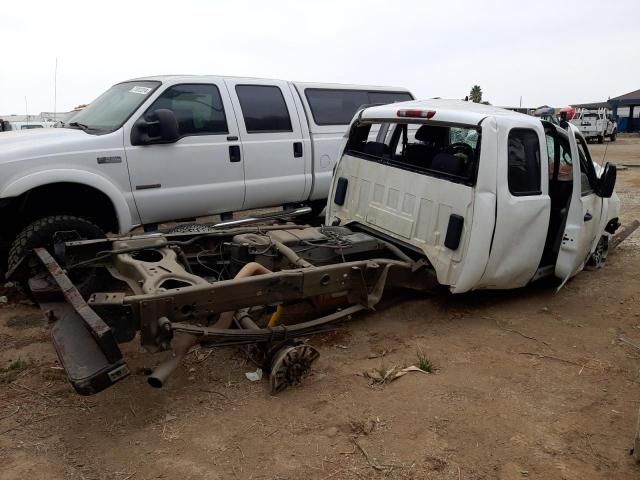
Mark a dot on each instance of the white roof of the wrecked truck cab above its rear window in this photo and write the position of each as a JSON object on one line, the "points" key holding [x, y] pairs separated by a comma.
{"points": [[453, 111]]}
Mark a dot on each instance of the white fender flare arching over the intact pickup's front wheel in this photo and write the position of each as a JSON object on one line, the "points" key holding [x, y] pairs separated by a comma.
{"points": [[64, 175]]}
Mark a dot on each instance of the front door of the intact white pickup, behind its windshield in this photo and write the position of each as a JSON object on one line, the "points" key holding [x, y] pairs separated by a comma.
{"points": [[201, 173]]}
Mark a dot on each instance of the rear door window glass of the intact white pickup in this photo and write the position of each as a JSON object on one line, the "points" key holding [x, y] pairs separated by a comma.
{"points": [[263, 108]]}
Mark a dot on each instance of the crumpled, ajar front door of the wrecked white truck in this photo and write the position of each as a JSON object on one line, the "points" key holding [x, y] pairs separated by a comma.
{"points": [[585, 210]]}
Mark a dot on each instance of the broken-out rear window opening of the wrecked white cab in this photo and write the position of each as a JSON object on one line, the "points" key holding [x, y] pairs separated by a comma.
{"points": [[449, 152]]}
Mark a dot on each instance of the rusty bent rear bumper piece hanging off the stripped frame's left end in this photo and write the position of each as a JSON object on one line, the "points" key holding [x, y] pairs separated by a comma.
{"points": [[85, 344]]}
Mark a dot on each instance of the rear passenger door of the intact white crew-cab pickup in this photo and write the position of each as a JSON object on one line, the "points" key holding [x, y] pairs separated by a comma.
{"points": [[275, 158]]}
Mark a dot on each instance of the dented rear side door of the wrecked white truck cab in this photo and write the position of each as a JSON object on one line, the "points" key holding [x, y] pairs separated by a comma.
{"points": [[523, 206]]}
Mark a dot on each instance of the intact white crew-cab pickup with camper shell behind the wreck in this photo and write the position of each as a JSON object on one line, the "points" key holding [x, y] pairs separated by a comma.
{"points": [[166, 148]]}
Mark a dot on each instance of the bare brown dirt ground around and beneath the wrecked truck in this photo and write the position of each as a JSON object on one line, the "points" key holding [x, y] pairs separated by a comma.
{"points": [[526, 384]]}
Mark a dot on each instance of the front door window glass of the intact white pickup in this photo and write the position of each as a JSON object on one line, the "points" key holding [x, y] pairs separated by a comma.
{"points": [[198, 109]]}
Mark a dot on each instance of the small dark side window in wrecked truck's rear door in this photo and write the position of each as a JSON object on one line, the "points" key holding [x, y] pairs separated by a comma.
{"points": [[524, 162]]}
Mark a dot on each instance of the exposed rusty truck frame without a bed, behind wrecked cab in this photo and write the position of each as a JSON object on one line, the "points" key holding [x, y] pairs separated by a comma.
{"points": [[221, 287]]}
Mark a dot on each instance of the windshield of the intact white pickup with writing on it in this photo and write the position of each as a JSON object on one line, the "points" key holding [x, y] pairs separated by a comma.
{"points": [[111, 109]]}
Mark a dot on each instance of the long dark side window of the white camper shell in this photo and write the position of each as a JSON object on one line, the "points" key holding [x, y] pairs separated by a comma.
{"points": [[337, 107]]}
